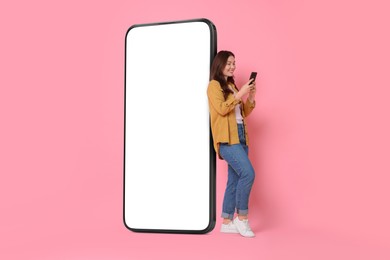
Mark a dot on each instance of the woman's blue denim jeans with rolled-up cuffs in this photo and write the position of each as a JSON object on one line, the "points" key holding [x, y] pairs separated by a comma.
{"points": [[240, 176]]}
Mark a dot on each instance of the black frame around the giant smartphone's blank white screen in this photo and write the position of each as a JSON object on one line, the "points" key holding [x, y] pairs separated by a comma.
{"points": [[212, 154]]}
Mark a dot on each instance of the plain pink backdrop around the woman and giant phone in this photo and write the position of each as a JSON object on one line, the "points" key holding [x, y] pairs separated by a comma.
{"points": [[320, 138]]}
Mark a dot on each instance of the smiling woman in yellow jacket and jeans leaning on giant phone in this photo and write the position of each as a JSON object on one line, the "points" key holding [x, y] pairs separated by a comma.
{"points": [[227, 114]]}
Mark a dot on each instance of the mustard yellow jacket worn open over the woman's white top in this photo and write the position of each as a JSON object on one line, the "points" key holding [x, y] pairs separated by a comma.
{"points": [[223, 117]]}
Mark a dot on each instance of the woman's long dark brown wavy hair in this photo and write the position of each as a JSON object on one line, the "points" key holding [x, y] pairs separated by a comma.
{"points": [[217, 68]]}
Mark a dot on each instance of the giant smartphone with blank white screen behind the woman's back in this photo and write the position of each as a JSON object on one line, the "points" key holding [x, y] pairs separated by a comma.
{"points": [[169, 161]]}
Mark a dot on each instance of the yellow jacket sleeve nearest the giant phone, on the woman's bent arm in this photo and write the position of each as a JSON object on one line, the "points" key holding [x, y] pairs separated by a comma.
{"points": [[217, 100]]}
